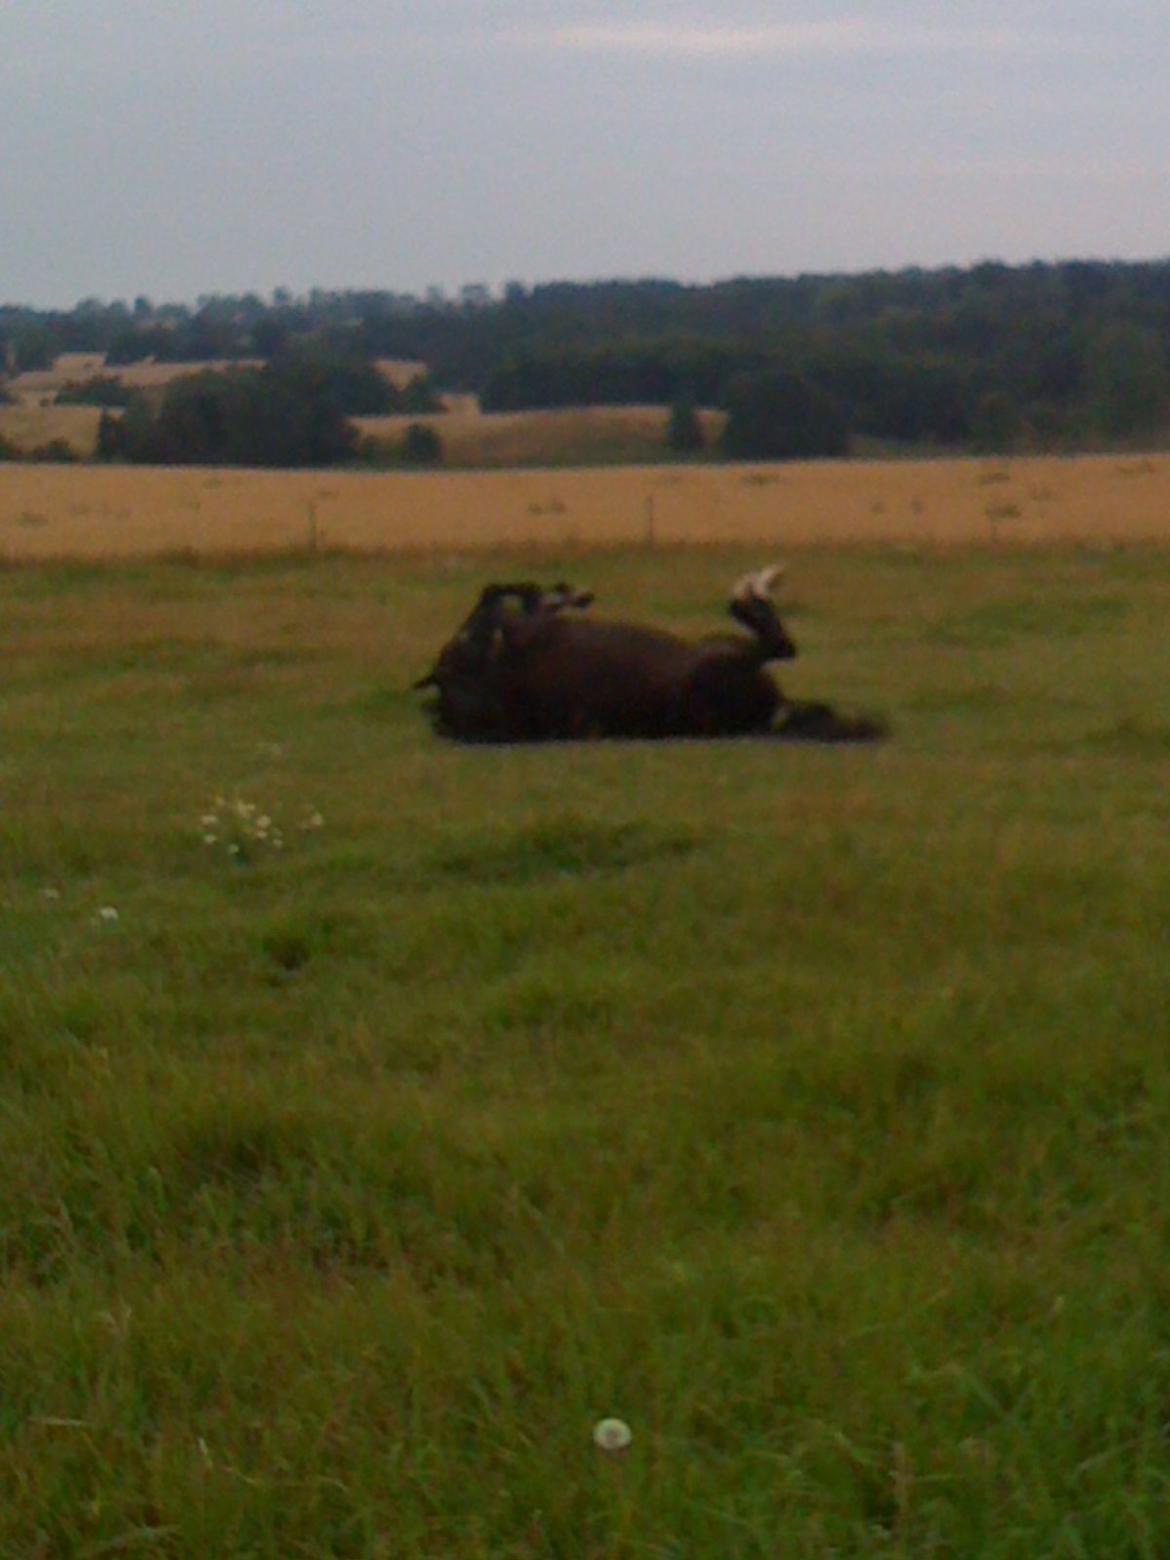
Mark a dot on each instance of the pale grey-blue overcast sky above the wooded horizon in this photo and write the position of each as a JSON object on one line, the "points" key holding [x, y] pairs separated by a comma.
{"points": [[179, 147]]}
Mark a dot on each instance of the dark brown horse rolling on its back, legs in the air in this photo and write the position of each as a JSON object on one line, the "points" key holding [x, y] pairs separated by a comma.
{"points": [[536, 665]]}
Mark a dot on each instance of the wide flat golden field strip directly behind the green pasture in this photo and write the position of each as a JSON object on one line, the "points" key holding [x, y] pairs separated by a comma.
{"points": [[96, 512]]}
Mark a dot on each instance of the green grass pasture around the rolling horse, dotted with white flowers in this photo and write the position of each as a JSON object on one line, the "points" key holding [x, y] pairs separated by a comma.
{"points": [[807, 1108]]}
